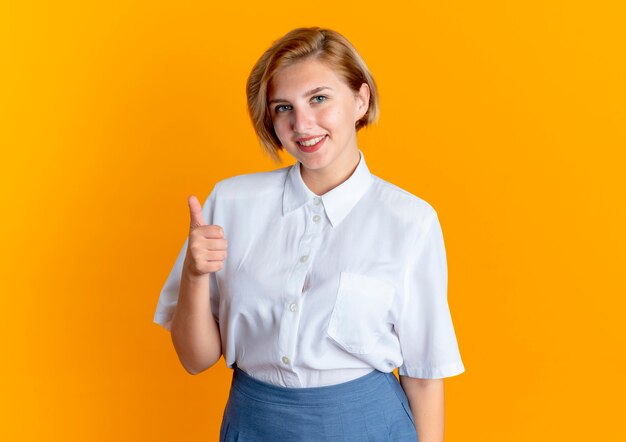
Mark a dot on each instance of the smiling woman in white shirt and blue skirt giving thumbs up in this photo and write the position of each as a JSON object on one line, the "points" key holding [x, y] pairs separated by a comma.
{"points": [[331, 277]]}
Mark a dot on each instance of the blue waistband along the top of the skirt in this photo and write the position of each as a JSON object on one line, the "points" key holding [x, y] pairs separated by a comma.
{"points": [[353, 390]]}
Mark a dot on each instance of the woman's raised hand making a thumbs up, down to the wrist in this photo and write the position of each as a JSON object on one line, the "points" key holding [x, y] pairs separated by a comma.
{"points": [[206, 250]]}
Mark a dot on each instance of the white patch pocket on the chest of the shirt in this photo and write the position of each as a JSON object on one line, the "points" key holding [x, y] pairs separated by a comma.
{"points": [[359, 316]]}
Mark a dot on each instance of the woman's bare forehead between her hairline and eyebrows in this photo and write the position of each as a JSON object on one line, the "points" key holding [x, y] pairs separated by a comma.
{"points": [[303, 76]]}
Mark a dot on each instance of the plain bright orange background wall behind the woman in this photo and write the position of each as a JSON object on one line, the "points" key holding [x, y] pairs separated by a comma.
{"points": [[507, 116]]}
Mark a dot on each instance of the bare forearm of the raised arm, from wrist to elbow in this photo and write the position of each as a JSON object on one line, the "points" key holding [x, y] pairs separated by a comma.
{"points": [[195, 333]]}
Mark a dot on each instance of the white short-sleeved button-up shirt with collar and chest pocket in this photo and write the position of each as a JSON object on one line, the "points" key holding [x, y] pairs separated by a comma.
{"points": [[318, 290]]}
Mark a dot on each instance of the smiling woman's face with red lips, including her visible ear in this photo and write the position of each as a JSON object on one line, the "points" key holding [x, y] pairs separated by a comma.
{"points": [[314, 114]]}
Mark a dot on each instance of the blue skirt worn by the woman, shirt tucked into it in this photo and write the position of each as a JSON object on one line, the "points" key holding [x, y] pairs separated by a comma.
{"points": [[371, 408]]}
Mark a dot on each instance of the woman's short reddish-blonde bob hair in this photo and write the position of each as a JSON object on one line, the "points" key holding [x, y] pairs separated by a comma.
{"points": [[325, 45]]}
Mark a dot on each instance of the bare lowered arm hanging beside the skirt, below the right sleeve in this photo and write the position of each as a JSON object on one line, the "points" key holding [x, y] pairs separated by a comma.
{"points": [[426, 400]]}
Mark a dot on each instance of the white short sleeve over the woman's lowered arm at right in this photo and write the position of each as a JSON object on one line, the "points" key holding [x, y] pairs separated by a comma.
{"points": [[425, 329]]}
